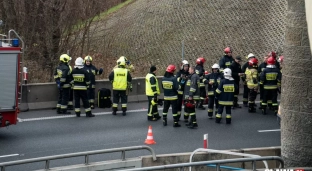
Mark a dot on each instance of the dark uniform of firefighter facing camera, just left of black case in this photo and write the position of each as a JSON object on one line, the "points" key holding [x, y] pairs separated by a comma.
{"points": [[91, 89]]}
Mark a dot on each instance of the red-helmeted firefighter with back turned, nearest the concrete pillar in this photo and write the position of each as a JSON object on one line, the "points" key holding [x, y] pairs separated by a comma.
{"points": [[271, 80]]}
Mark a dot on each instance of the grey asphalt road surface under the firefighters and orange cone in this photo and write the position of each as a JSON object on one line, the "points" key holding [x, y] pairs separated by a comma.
{"points": [[44, 133]]}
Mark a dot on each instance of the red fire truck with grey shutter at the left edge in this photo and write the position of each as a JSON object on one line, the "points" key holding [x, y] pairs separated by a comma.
{"points": [[10, 77]]}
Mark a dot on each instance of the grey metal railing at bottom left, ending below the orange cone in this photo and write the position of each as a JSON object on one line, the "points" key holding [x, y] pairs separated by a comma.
{"points": [[85, 154]]}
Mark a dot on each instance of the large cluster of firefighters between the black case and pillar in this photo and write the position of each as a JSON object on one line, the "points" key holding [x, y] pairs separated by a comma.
{"points": [[188, 87]]}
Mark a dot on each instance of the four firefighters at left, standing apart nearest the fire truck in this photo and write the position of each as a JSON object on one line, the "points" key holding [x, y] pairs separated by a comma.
{"points": [[80, 84]]}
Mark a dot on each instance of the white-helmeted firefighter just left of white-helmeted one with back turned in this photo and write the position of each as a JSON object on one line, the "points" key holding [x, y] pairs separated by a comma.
{"points": [[213, 80]]}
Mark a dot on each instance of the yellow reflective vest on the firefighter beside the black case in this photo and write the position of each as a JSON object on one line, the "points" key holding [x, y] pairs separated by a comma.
{"points": [[120, 79]]}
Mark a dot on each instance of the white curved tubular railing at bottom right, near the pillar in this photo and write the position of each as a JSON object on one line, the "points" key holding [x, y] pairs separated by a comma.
{"points": [[225, 152]]}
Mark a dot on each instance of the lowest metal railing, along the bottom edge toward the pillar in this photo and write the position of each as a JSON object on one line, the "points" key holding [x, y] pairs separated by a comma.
{"points": [[217, 162]]}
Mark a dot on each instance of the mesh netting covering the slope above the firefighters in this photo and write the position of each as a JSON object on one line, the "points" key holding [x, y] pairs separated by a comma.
{"points": [[151, 31]]}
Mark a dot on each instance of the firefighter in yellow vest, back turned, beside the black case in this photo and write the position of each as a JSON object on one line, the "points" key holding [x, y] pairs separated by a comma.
{"points": [[120, 78]]}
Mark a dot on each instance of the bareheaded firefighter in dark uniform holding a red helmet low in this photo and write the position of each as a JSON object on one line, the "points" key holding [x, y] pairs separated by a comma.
{"points": [[191, 94]]}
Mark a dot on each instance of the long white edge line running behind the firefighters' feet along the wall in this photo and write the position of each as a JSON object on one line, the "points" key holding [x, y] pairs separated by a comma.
{"points": [[97, 114]]}
